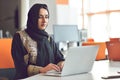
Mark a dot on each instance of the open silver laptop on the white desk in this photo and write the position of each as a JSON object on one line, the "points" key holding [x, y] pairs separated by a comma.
{"points": [[78, 60]]}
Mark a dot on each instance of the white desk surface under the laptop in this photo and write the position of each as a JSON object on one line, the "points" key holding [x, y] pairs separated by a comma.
{"points": [[100, 68]]}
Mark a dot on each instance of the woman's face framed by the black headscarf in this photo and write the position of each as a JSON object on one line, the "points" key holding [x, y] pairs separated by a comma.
{"points": [[43, 19]]}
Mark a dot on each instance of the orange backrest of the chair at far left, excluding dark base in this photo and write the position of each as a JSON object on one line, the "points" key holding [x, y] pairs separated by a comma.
{"points": [[6, 60]]}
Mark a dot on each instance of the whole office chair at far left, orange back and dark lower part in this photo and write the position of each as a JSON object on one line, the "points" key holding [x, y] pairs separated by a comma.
{"points": [[7, 69]]}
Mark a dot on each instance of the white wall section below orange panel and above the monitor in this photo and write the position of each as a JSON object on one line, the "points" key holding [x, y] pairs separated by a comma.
{"points": [[67, 15]]}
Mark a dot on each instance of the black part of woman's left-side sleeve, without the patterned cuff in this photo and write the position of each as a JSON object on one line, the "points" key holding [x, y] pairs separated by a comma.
{"points": [[18, 52]]}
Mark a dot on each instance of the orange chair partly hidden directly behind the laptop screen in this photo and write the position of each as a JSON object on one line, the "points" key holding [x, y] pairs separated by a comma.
{"points": [[101, 51]]}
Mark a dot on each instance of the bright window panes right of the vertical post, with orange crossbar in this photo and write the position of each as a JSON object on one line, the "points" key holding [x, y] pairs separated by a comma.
{"points": [[103, 18]]}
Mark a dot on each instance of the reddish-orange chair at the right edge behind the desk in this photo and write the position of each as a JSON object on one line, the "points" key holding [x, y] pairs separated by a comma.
{"points": [[113, 48]]}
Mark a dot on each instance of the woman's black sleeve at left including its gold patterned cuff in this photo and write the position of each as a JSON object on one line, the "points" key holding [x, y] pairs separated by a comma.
{"points": [[19, 54]]}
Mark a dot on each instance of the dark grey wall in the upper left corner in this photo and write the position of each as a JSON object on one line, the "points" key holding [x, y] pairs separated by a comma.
{"points": [[7, 15]]}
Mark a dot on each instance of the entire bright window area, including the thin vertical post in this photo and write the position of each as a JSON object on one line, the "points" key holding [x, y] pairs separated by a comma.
{"points": [[100, 17]]}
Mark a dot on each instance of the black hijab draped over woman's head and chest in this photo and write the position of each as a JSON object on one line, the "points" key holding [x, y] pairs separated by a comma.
{"points": [[45, 52]]}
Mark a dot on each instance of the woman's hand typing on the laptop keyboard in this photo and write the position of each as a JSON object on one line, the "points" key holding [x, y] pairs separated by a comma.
{"points": [[49, 67]]}
